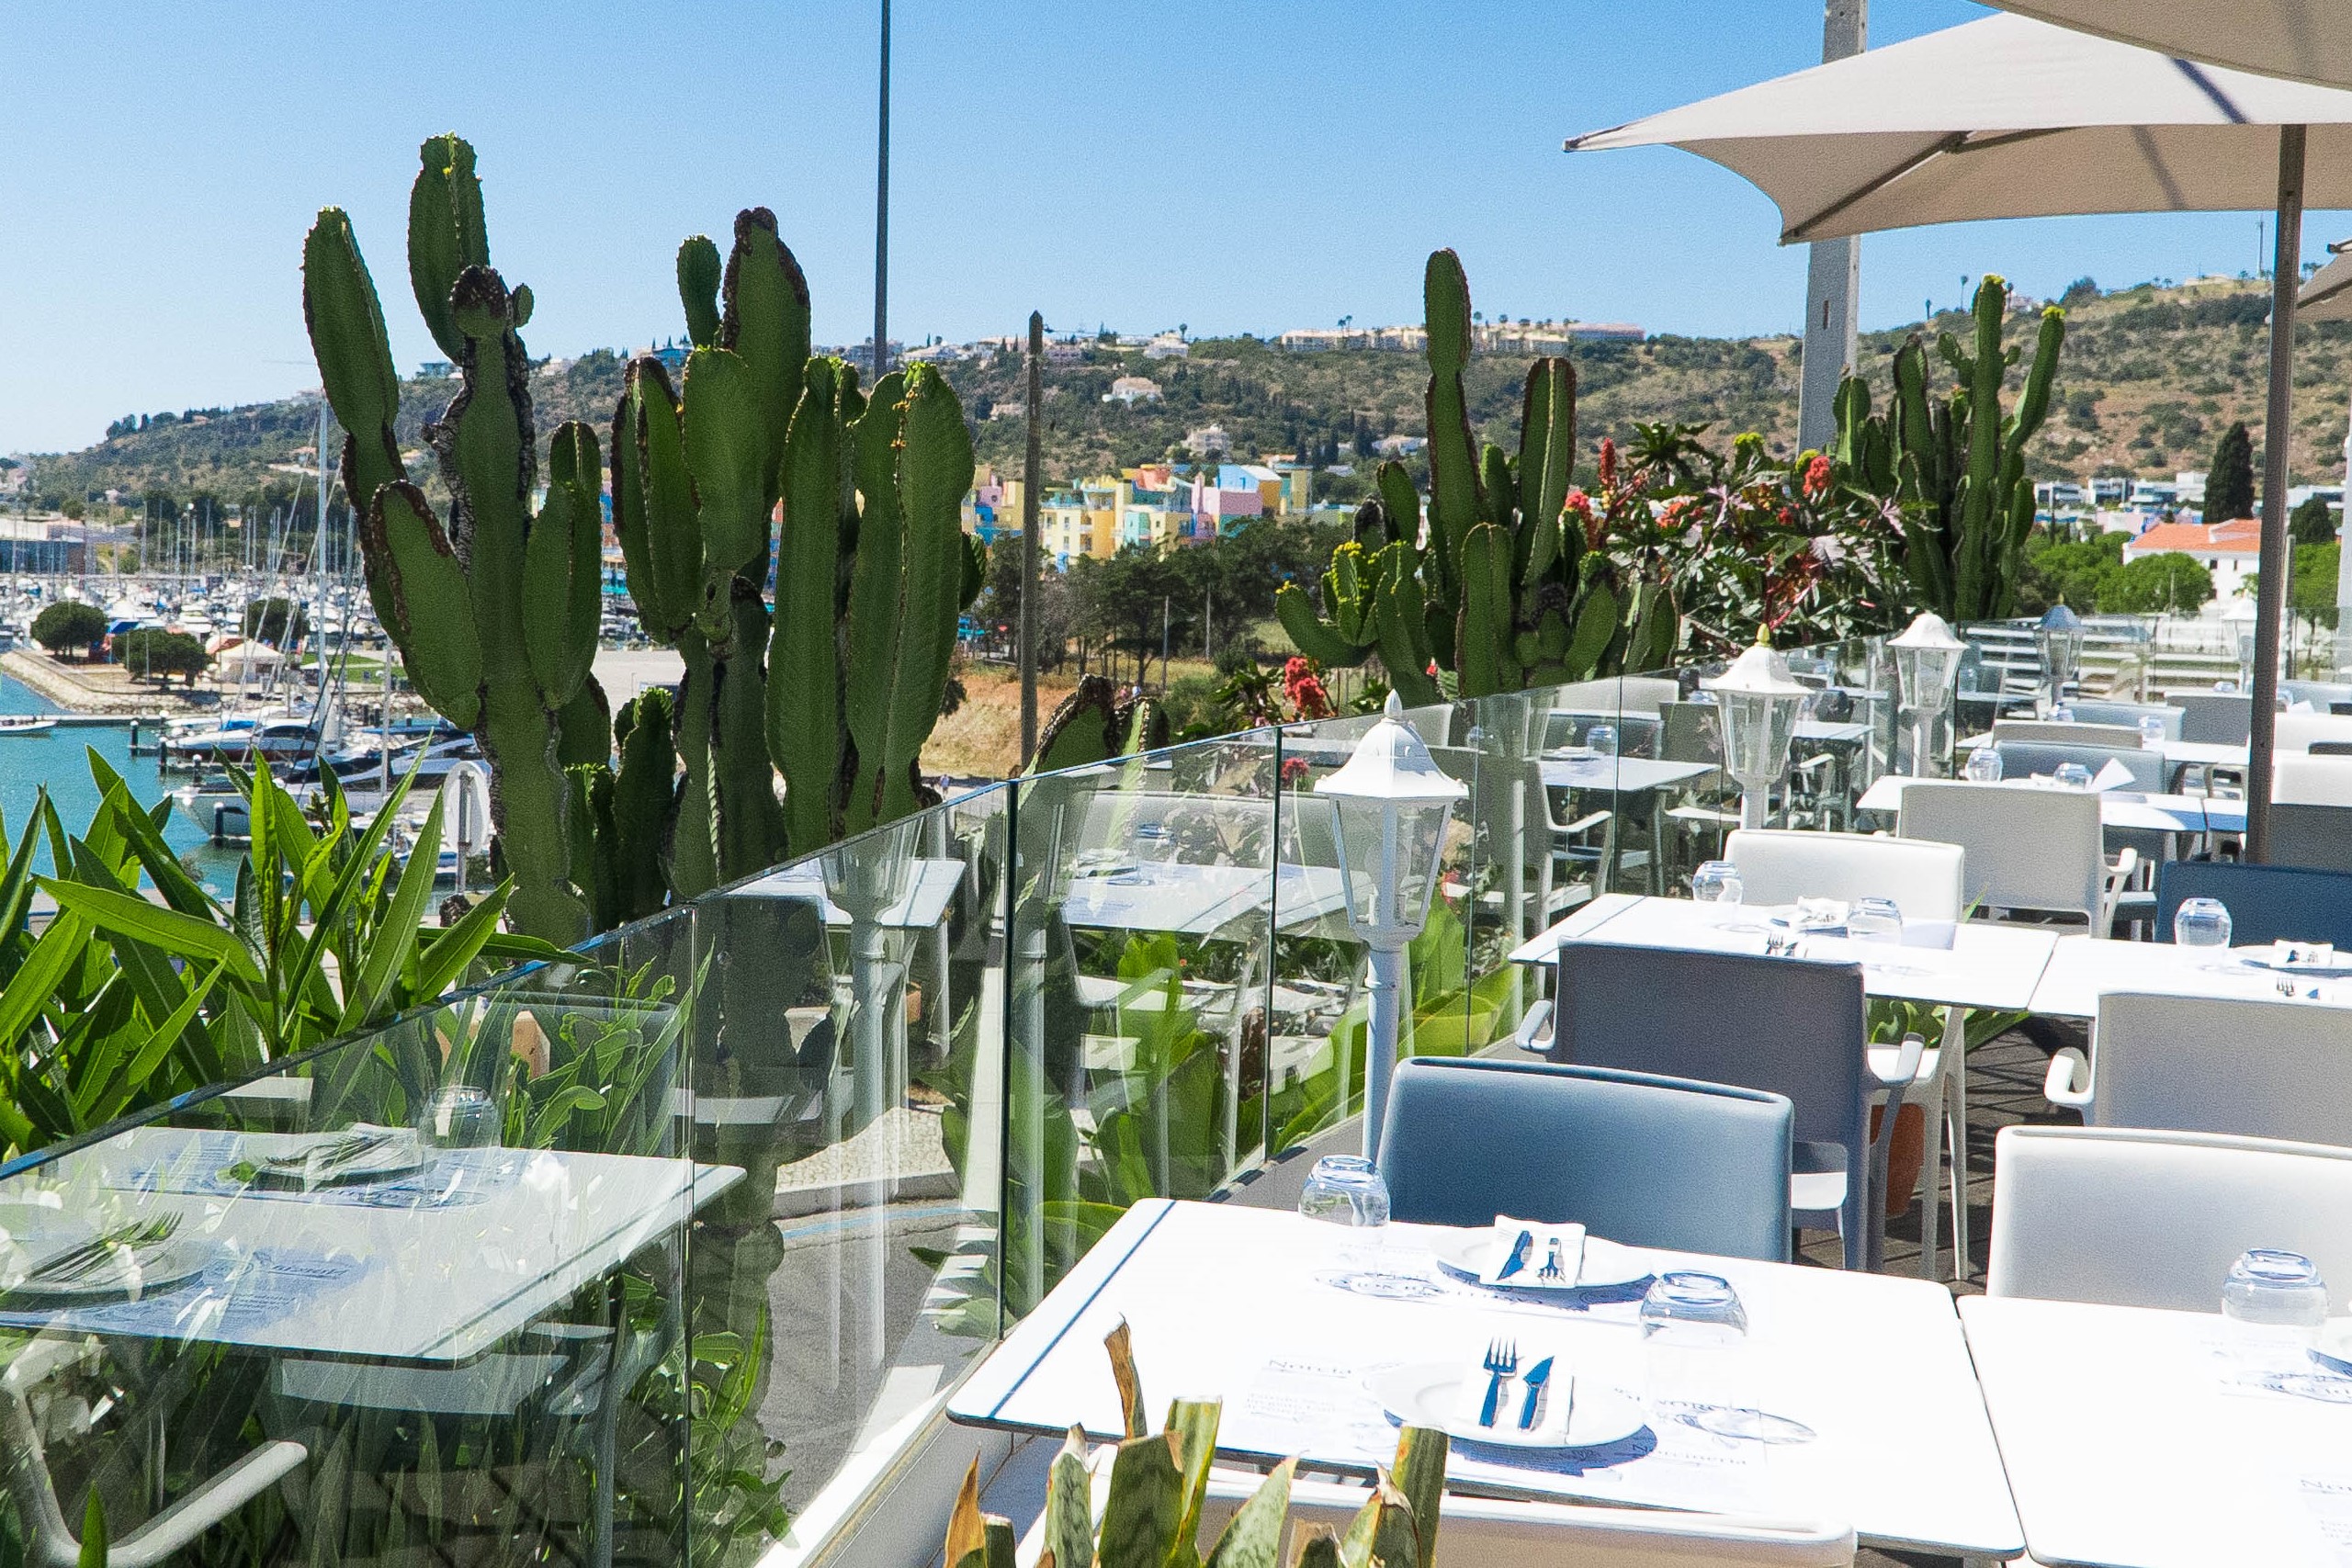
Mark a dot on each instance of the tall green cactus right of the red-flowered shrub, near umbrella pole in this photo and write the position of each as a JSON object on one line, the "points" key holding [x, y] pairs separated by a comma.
{"points": [[1958, 478]]}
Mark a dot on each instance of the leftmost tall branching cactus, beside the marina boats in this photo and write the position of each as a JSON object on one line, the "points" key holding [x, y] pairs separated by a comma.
{"points": [[495, 612]]}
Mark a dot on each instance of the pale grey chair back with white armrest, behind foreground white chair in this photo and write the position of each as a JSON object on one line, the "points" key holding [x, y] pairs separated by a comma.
{"points": [[2214, 1066]]}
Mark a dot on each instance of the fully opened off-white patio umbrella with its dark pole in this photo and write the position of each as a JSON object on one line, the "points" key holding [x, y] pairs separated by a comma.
{"points": [[2014, 119]]}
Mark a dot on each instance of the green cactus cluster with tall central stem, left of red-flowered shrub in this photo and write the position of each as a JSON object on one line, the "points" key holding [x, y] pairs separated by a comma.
{"points": [[1506, 594]]}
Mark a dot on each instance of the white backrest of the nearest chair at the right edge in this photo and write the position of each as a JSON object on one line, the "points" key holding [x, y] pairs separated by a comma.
{"points": [[2156, 1219]]}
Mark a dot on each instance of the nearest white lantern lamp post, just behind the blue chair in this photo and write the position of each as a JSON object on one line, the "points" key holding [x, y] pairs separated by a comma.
{"points": [[1394, 808]]}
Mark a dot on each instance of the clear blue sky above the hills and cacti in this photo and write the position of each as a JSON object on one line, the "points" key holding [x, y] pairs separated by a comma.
{"points": [[1236, 168]]}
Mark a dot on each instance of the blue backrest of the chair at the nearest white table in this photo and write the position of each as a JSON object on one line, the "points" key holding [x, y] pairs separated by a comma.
{"points": [[1636, 1158]]}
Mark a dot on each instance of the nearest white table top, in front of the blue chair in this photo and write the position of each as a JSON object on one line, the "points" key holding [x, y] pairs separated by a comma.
{"points": [[1250, 1306]]}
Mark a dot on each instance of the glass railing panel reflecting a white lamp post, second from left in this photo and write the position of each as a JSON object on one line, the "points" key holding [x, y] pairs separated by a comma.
{"points": [[846, 1057]]}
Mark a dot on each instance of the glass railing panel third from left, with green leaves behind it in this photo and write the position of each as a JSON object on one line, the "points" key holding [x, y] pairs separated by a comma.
{"points": [[1142, 970]]}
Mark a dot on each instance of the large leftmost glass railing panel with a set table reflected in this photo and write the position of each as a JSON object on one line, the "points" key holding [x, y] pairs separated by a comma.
{"points": [[420, 1292]]}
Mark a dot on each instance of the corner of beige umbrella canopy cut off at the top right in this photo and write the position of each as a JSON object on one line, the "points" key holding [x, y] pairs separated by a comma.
{"points": [[2301, 39]]}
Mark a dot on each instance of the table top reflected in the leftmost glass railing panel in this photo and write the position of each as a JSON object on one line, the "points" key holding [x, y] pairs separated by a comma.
{"points": [[441, 1271]]}
